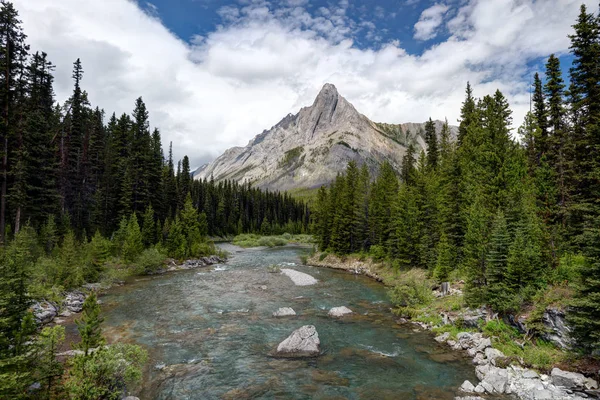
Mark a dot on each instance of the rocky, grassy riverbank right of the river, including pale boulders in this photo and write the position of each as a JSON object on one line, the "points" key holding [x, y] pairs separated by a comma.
{"points": [[480, 335]]}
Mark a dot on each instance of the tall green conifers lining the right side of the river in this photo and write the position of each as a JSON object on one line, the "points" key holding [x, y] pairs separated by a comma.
{"points": [[507, 215]]}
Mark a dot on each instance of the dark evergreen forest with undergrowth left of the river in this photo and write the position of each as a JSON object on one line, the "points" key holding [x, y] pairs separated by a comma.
{"points": [[88, 198]]}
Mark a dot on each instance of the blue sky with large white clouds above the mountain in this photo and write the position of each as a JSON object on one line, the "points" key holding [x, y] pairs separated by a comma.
{"points": [[215, 73]]}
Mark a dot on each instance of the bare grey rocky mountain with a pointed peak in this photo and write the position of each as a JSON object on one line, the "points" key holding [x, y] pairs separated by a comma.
{"points": [[308, 149]]}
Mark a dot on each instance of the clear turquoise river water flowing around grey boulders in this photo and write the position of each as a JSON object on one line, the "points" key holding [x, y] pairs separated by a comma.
{"points": [[211, 334]]}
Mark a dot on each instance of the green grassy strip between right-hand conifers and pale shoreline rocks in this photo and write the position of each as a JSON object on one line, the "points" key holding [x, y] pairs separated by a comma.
{"points": [[414, 295]]}
